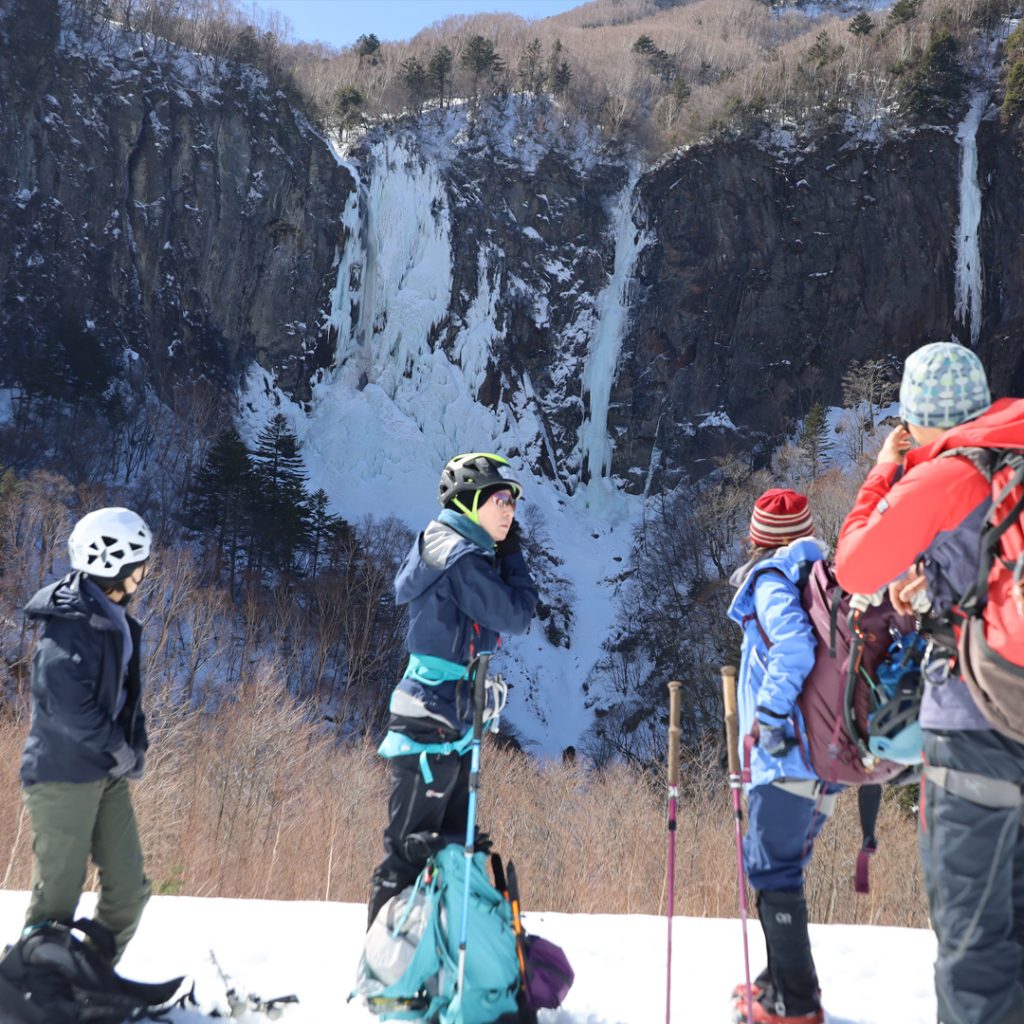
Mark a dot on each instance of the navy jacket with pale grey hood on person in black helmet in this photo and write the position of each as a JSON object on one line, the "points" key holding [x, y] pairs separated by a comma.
{"points": [[460, 599]]}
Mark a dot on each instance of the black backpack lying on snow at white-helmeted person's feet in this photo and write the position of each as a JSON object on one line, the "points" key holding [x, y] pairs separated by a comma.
{"points": [[54, 976]]}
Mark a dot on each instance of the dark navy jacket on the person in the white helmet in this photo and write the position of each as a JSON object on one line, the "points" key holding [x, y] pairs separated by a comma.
{"points": [[77, 678]]}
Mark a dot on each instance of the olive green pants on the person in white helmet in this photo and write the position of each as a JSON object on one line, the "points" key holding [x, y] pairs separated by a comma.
{"points": [[70, 822]]}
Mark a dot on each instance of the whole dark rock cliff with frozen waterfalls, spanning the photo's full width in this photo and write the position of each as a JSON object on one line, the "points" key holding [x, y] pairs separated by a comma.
{"points": [[184, 208]]}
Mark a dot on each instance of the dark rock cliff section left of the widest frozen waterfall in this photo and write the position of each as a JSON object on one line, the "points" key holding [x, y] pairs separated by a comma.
{"points": [[180, 206]]}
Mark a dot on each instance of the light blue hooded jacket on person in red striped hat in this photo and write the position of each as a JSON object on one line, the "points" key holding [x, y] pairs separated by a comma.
{"points": [[773, 678]]}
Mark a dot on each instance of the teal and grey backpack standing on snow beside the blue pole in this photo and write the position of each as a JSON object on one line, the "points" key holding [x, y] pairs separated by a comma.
{"points": [[410, 965]]}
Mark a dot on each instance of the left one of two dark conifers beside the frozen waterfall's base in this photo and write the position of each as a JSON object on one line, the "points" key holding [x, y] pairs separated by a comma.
{"points": [[223, 499]]}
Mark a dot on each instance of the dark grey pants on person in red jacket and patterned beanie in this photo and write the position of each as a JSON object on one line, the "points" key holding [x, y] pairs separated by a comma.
{"points": [[972, 851]]}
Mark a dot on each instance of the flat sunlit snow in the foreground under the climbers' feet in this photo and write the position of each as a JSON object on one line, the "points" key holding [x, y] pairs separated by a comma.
{"points": [[869, 975]]}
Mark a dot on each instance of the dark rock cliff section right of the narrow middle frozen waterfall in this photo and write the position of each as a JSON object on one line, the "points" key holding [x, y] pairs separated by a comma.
{"points": [[778, 268]]}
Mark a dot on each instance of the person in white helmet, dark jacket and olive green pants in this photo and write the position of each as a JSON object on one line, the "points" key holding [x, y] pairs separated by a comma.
{"points": [[88, 738]]}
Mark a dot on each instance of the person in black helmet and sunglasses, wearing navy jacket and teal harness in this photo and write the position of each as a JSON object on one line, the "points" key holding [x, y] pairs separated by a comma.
{"points": [[465, 582]]}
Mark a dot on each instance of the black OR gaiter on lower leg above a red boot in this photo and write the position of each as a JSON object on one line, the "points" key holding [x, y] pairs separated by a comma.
{"points": [[794, 989]]}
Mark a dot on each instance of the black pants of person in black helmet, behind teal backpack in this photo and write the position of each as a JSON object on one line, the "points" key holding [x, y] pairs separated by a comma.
{"points": [[417, 812]]}
